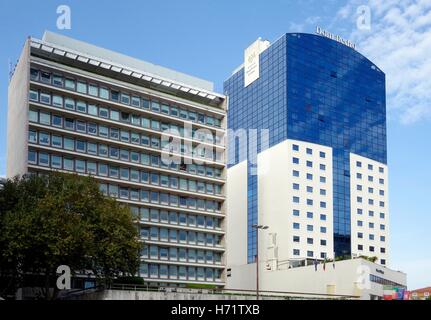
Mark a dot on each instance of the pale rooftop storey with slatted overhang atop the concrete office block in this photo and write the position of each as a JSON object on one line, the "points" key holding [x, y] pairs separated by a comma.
{"points": [[83, 55]]}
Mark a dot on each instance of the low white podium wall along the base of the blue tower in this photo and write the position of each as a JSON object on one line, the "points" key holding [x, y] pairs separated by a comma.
{"points": [[349, 277]]}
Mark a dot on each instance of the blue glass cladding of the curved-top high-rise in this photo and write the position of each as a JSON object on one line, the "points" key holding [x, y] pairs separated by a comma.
{"points": [[316, 90]]}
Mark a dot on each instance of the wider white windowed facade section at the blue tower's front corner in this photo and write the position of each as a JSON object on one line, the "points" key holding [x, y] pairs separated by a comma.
{"points": [[295, 201]]}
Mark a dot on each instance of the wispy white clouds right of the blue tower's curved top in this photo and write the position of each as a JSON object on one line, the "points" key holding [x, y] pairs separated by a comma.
{"points": [[399, 42]]}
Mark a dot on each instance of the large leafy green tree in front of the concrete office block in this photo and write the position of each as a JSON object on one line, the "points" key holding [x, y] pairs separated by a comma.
{"points": [[62, 219]]}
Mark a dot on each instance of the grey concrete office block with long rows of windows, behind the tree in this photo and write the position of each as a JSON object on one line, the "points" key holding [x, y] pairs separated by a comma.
{"points": [[78, 108]]}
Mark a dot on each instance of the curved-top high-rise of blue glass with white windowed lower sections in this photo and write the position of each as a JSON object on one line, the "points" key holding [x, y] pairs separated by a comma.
{"points": [[318, 179]]}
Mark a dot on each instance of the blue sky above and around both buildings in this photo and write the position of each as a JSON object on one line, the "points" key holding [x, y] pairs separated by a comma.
{"points": [[207, 38]]}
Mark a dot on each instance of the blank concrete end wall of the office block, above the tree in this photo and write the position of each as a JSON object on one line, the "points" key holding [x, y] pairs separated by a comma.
{"points": [[17, 130]]}
